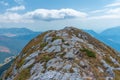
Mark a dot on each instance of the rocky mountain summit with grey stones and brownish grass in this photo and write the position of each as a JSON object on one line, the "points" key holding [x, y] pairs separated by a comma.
{"points": [[67, 54]]}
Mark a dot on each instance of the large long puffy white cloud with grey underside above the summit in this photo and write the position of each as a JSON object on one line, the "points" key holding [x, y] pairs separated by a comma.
{"points": [[49, 15]]}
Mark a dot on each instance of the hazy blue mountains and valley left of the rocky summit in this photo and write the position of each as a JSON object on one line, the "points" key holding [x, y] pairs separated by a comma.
{"points": [[13, 40]]}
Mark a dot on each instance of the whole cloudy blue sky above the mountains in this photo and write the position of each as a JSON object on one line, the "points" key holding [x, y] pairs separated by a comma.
{"points": [[42, 15]]}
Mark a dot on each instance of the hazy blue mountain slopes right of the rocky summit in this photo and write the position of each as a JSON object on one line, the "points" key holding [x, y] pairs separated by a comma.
{"points": [[111, 37]]}
